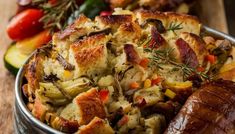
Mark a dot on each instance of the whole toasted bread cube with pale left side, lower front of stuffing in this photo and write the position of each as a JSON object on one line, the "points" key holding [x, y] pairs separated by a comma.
{"points": [[85, 107]]}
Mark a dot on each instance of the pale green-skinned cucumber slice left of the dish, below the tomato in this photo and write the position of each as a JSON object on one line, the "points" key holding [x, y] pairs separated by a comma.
{"points": [[13, 59]]}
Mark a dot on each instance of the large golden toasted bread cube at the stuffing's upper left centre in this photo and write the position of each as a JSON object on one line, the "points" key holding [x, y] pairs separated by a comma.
{"points": [[89, 55]]}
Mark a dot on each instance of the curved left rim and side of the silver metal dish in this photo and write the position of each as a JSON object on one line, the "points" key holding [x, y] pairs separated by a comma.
{"points": [[24, 120]]}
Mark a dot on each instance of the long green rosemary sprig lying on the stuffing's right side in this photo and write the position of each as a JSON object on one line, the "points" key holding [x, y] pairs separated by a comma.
{"points": [[160, 57]]}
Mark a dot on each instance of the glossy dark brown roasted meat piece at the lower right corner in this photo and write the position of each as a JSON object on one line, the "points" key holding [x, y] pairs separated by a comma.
{"points": [[208, 110]]}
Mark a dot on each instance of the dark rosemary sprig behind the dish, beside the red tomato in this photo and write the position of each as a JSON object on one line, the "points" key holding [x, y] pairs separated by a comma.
{"points": [[56, 15]]}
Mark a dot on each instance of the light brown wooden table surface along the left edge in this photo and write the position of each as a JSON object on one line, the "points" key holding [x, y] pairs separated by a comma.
{"points": [[8, 8]]}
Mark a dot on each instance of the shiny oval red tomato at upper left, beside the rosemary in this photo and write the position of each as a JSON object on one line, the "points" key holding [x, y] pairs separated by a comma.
{"points": [[25, 24]]}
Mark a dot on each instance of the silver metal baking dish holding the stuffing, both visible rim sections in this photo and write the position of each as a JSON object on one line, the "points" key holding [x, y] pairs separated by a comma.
{"points": [[25, 123]]}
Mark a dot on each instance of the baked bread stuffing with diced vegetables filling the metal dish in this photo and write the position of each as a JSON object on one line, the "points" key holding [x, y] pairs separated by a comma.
{"points": [[129, 72]]}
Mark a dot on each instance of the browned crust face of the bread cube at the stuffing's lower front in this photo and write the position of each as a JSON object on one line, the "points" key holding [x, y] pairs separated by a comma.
{"points": [[90, 106]]}
